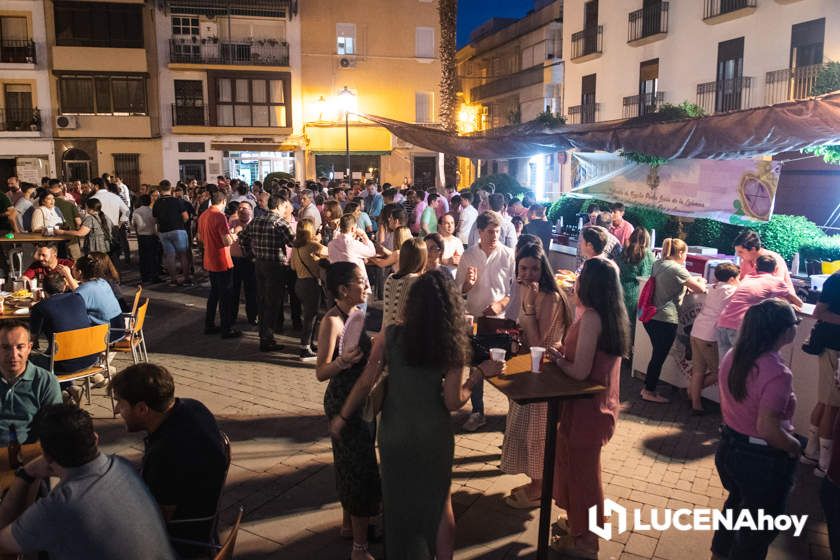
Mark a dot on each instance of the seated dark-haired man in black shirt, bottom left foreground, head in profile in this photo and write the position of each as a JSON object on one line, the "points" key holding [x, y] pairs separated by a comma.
{"points": [[185, 462]]}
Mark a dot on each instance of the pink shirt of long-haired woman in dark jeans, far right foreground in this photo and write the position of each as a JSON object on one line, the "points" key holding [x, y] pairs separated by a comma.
{"points": [[769, 386]]}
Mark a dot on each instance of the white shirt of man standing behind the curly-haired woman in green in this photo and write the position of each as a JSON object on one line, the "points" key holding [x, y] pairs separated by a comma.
{"points": [[496, 273]]}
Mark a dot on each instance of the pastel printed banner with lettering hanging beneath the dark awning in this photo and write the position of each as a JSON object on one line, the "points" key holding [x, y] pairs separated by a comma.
{"points": [[731, 191]]}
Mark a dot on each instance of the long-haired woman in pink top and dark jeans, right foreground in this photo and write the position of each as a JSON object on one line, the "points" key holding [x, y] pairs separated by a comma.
{"points": [[758, 453]]}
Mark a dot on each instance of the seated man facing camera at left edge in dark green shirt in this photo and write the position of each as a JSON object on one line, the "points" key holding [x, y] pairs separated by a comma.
{"points": [[26, 388]]}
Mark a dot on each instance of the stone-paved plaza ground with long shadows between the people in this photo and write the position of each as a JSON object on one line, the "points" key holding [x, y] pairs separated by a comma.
{"points": [[271, 406]]}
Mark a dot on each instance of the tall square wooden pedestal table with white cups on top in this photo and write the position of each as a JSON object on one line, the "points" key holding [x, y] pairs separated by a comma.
{"points": [[551, 386]]}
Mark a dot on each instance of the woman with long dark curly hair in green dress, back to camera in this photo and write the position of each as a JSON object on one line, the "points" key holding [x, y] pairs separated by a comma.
{"points": [[416, 442]]}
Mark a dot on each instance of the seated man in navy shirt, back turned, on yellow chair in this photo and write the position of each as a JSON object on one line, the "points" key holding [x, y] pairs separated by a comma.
{"points": [[61, 311]]}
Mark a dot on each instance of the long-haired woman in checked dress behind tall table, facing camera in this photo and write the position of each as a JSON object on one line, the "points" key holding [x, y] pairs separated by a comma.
{"points": [[544, 315]]}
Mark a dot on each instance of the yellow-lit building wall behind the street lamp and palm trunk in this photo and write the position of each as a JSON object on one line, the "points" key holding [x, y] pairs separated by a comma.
{"points": [[385, 75]]}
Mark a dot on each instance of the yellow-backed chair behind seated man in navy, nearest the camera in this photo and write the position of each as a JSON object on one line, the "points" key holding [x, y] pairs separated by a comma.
{"points": [[79, 343]]}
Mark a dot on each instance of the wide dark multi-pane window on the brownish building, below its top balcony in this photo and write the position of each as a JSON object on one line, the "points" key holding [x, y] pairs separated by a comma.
{"points": [[103, 94]]}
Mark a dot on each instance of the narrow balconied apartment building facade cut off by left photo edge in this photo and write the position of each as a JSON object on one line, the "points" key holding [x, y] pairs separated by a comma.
{"points": [[26, 113]]}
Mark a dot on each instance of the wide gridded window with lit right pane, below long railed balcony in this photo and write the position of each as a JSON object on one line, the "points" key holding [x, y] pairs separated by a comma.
{"points": [[251, 101]]}
